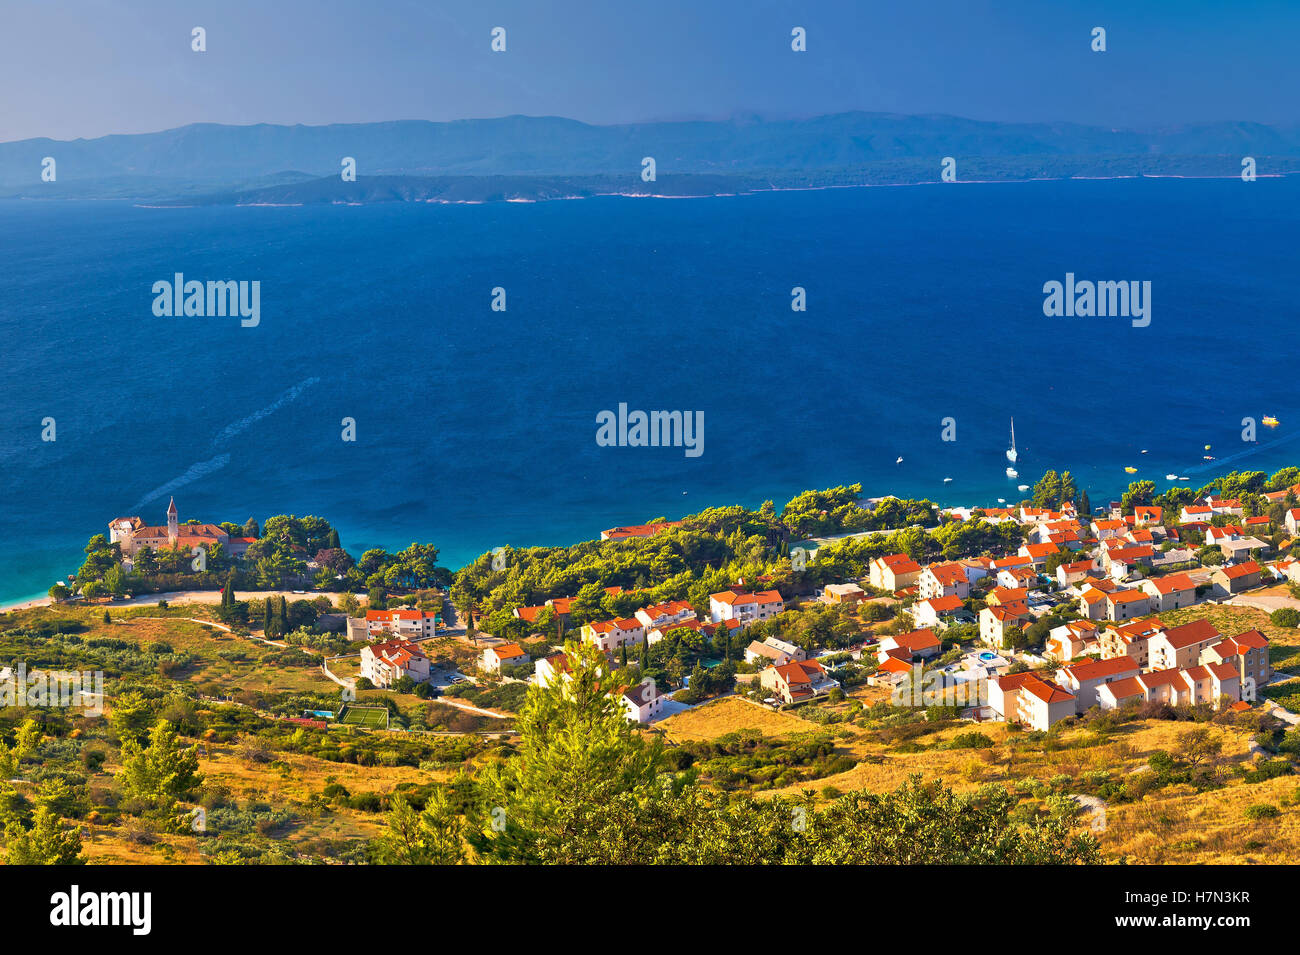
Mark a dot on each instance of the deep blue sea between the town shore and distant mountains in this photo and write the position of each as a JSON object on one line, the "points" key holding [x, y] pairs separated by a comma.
{"points": [[478, 428]]}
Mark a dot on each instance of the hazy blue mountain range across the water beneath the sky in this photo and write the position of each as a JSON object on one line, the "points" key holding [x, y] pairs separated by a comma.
{"points": [[538, 158]]}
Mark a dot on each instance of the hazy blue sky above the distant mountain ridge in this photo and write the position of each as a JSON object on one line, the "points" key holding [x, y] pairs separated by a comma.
{"points": [[89, 68]]}
